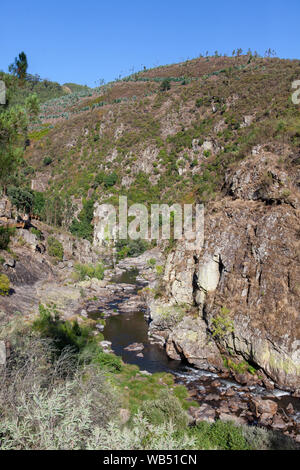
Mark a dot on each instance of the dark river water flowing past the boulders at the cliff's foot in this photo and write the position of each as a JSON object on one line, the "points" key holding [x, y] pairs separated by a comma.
{"points": [[131, 327]]}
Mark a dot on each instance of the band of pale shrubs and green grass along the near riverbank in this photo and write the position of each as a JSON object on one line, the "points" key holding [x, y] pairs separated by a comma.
{"points": [[50, 399]]}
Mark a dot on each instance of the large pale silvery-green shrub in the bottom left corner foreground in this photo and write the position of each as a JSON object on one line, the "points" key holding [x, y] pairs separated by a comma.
{"points": [[47, 401]]}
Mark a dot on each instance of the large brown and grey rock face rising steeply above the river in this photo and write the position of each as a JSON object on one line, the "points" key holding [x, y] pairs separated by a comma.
{"points": [[243, 287]]}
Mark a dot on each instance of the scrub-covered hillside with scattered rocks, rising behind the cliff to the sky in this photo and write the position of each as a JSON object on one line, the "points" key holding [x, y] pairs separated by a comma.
{"points": [[174, 144]]}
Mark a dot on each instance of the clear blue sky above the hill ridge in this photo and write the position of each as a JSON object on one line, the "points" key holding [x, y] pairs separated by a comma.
{"points": [[84, 41]]}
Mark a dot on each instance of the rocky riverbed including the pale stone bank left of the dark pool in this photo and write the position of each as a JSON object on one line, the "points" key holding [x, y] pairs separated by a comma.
{"points": [[243, 398]]}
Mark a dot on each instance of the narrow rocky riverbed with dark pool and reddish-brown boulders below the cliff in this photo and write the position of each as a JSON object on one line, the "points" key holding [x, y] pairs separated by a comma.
{"points": [[242, 398]]}
